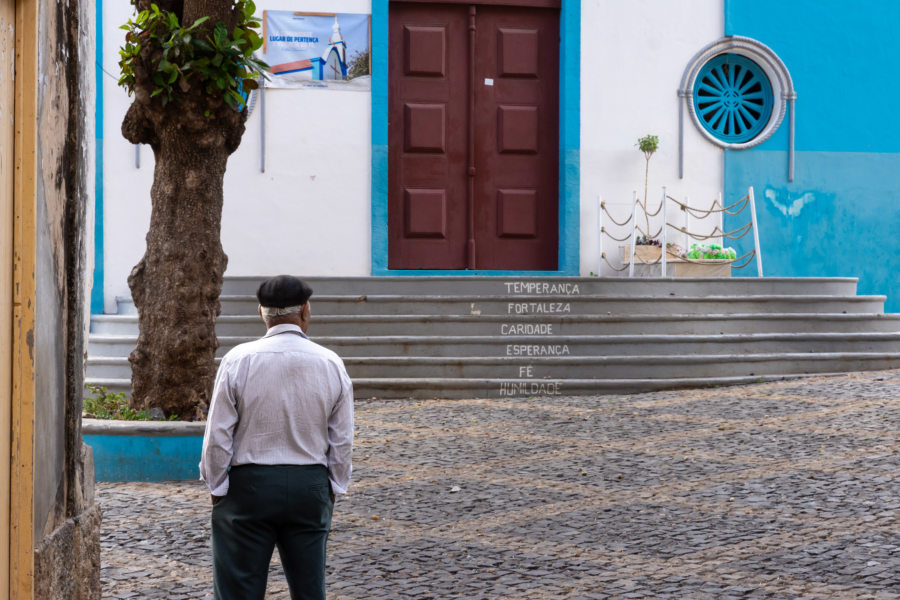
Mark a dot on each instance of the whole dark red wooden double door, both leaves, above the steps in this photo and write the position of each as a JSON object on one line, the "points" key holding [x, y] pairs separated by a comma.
{"points": [[473, 150]]}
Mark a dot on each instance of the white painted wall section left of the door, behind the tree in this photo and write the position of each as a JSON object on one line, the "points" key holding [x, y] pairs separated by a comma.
{"points": [[308, 213]]}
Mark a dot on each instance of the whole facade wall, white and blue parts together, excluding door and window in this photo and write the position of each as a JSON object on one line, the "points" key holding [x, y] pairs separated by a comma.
{"points": [[310, 211]]}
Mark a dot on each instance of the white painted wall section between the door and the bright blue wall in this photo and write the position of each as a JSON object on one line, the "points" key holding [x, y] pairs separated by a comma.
{"points": [[633, 55]]}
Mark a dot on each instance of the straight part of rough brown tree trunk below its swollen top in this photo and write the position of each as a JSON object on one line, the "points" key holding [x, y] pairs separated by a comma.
{"points": [[176, 284]]}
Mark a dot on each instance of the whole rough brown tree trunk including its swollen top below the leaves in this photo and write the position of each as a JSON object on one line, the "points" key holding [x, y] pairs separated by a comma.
{"points": [[177, 283]]}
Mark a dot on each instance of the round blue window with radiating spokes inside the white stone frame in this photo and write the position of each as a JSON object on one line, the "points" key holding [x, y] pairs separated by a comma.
{"points": [[732, 98]]}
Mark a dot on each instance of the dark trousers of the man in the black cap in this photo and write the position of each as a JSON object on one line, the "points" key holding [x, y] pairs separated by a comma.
{"points": [[285, 505]]}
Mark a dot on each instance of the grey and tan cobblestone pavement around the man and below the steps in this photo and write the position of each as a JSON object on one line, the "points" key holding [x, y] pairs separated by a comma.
{"points": [[776, 490]]}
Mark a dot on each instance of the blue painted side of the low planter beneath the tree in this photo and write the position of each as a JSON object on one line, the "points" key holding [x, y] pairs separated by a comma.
{"points": [[145, 457]]}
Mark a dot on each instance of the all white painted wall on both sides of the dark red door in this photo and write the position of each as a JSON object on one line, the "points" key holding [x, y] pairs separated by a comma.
{"points": [[309, 213]]}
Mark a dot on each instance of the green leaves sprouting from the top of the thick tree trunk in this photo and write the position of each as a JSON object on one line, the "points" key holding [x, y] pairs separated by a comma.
{"points": [[179, 58]]}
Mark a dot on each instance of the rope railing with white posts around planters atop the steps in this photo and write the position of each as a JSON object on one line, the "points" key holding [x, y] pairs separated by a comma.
{"points": [[665, 253]]}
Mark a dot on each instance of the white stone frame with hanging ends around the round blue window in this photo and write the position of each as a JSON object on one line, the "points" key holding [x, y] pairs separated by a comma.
{"points": [[783, 92]]}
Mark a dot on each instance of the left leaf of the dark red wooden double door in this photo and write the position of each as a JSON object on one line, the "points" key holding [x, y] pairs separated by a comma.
{"points": [[426, 138]]}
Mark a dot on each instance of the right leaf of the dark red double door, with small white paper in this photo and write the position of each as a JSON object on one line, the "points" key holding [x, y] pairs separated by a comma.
{"points": [[517, 165]]}
